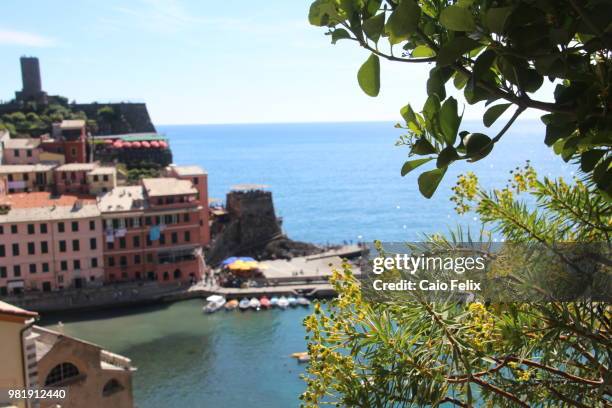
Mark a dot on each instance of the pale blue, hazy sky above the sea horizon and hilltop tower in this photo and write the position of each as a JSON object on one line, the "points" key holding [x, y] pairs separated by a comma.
{"points": [[199, 61]]}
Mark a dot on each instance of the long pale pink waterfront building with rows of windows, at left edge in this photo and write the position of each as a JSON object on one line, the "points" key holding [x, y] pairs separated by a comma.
{"points": [[49, 243]]}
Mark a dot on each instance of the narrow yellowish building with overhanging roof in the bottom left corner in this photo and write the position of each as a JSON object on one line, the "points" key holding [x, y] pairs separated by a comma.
{"points": [[17, 351]]}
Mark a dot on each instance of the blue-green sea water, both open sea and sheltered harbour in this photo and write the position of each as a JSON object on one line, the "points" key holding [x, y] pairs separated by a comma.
{"points": [[332, 183]]}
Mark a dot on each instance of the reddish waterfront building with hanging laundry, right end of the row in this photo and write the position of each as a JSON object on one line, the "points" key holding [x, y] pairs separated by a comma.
{"points": [[156, 231]]}
